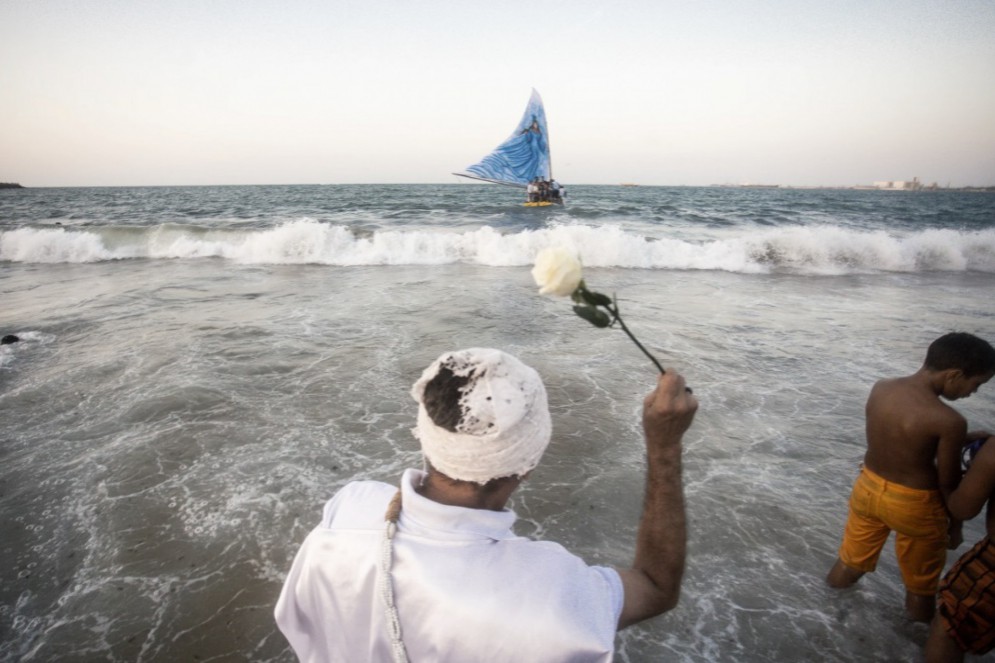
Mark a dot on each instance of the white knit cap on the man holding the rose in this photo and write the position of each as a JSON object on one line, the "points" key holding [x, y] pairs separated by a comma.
{"points": [[504, 425]]}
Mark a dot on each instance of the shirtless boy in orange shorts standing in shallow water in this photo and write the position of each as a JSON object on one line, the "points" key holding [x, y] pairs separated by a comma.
{"points": [[911, 467]]}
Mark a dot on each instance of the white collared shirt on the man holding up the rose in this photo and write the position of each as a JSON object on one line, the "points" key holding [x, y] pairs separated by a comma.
{"points": [[466, 588]]}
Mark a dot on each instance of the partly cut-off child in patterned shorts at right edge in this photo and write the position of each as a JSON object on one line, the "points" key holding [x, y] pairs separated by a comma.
{"points": [[965, 619]]}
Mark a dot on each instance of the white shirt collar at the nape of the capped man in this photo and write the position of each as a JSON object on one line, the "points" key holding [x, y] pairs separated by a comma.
{"points": [[420, 515]]}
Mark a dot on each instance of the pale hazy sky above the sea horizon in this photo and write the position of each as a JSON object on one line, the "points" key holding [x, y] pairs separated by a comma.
{"points": [[795, 93]]}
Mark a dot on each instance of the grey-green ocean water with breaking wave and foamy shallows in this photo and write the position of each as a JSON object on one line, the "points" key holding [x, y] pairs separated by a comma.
{"points": [[201, 368]]}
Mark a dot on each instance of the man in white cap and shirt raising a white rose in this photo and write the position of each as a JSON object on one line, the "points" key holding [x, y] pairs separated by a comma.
{"points": [[433, 572]]}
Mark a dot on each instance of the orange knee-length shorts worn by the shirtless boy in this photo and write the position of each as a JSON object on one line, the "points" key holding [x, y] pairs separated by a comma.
{"points": [[920, 522]]}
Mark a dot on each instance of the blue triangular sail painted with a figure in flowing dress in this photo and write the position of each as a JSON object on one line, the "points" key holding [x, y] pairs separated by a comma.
{"points": [[521, 158]]}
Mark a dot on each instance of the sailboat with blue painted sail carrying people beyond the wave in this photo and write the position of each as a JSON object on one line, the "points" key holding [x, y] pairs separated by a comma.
{"points": [[523, 159]]}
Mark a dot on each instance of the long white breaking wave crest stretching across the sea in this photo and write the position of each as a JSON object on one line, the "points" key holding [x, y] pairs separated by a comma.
{"points": [[803, 249]]}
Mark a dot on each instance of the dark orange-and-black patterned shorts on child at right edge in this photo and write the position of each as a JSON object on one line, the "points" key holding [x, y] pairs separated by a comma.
{"points": [[967, 599]]}
